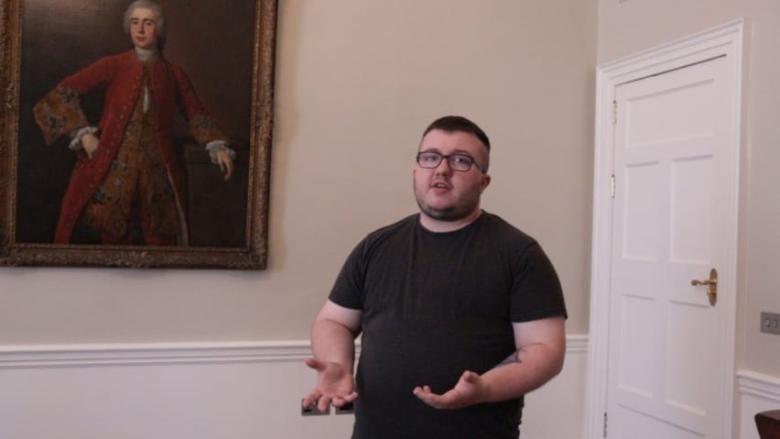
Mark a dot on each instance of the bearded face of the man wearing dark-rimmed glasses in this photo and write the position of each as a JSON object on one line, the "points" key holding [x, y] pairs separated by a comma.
{"points": [[445, 194]]}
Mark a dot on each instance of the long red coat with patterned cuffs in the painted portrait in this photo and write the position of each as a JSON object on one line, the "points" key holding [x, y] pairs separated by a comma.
{"points": [[59, 113]]}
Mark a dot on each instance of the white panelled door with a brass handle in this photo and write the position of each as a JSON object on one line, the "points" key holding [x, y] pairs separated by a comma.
{"points": [[674, 165]]}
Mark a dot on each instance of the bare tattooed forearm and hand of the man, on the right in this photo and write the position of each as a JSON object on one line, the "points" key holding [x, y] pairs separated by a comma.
{"points": [[541, 345]]}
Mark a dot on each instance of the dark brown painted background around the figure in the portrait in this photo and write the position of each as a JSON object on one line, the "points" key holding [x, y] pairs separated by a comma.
{"points": [[213, 40]]}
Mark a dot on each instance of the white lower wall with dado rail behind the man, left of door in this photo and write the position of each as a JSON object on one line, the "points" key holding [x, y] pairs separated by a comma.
{"points": [[208, 391]]}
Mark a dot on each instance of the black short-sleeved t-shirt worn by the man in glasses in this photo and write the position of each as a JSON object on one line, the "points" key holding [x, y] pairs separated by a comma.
{"points": [[434, 305]]}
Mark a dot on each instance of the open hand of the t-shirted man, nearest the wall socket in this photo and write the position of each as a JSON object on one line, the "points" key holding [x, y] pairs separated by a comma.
{"points": [[335, 385]]}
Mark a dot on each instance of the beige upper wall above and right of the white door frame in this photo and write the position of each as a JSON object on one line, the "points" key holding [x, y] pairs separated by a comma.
{"points": [[632, 25]]}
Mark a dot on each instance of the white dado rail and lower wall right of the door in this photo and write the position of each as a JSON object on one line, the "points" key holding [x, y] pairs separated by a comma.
{"points": [[757, 393]]}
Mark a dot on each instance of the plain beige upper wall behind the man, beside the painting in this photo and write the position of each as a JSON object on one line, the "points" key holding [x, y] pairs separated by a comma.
{"points": [[357, 81]]}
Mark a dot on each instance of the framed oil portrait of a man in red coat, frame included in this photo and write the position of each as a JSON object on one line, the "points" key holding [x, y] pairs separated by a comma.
{"points": [[139, 133]]}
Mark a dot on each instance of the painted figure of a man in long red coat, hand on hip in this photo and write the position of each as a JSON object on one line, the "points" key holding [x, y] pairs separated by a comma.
{"points": [[127, 186]]}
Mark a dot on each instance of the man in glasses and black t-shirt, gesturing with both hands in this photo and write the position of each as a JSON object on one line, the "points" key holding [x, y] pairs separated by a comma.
{"points": [[461, 314]]}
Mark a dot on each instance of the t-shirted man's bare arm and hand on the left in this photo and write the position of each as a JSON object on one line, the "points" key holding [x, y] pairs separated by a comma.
{"points": [[333, 344]]}
